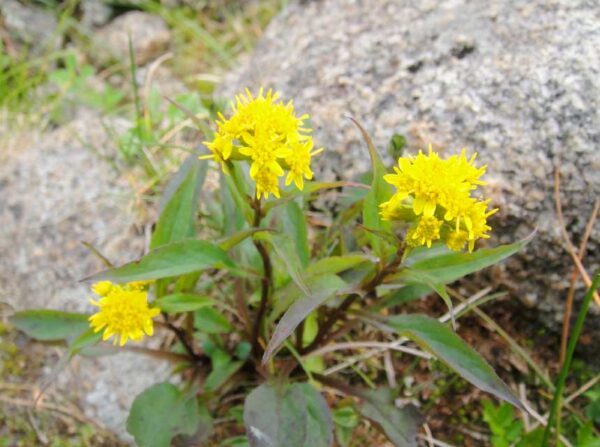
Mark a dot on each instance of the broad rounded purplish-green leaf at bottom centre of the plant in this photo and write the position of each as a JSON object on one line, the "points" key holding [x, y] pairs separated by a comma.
{"points": [[291, 415]]}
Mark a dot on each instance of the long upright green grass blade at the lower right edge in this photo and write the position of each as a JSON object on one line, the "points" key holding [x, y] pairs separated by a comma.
{"points": [[560, 383]]}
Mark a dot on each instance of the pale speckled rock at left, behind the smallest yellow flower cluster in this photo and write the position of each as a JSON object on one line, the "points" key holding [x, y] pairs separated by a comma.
{"points": [[54, 193]]}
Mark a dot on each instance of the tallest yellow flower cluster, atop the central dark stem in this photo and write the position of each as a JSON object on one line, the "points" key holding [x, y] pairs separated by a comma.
{"points": [[266, 133]]}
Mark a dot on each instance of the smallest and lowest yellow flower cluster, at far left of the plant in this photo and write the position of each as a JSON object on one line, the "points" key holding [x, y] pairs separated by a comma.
{"points": [[124, 311]]}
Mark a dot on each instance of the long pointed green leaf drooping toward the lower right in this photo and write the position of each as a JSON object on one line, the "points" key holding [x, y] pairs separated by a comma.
{"points": [[441, 341]]}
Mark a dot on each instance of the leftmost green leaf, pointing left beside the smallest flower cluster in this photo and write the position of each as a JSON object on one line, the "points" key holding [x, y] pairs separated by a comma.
{"points": [[48, 325]]}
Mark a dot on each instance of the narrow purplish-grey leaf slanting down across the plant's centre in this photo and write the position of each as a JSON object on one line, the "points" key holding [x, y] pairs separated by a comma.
{"points": [[299, 310]]}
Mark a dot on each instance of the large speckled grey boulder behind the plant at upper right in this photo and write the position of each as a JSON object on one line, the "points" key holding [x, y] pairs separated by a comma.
{"points": [[517, 81]]}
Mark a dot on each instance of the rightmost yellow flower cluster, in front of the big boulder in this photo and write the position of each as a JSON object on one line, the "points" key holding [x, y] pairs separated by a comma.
{"points": [[437, 193]]}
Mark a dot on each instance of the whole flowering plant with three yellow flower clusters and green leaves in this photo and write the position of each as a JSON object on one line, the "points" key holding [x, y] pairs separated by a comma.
{"points": [[257, 297]]}
